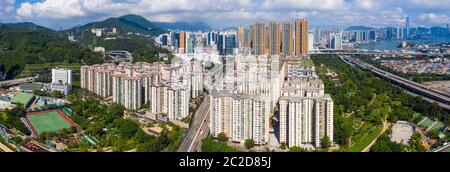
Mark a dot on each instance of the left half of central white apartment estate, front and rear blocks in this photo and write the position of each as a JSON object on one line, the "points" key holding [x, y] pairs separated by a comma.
{"points": [[244, 98]]}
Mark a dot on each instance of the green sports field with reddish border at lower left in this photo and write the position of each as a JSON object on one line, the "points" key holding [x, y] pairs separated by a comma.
{"points": [[49, 121]]}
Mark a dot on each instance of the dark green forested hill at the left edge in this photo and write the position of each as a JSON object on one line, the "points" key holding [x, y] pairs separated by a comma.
{"points": [[20, 45]]}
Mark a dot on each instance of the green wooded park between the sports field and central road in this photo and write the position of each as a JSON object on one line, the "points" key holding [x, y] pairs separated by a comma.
{"points": [[108, 125]]}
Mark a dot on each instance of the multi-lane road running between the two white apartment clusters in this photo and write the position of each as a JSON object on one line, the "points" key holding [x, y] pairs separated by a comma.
{"points": [[198, 130]]}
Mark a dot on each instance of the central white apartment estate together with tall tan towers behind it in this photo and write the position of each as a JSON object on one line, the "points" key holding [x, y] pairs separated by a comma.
{"points": [[254, 87]]}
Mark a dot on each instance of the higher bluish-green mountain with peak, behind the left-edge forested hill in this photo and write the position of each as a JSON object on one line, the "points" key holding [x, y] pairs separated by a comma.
{"points": [[141, 45]]}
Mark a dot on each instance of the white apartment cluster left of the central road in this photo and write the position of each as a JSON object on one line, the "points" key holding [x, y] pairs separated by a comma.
{"points": [[165, 88]]}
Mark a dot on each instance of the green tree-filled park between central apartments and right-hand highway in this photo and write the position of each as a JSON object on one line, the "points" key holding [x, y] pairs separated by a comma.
{"points": [[364, 102]]}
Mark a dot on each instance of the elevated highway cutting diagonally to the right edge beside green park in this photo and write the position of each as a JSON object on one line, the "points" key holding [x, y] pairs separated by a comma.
{"points": [[435, 96]]}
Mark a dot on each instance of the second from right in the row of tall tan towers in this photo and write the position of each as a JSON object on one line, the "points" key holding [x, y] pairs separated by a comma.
{"points": [[287, 39]]}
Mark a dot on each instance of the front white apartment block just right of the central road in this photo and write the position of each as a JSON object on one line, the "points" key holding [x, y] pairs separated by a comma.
{"points": [[240, 117]]}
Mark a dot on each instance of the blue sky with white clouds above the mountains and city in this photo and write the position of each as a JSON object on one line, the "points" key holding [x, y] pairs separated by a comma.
{"points": [[226, 13]]}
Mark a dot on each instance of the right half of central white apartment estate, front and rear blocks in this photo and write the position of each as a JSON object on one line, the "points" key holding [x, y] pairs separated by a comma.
{"points": [[306, 112]]}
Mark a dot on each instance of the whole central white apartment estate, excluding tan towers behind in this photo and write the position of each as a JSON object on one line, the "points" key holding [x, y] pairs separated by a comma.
{"points": [[257, 92]]}
